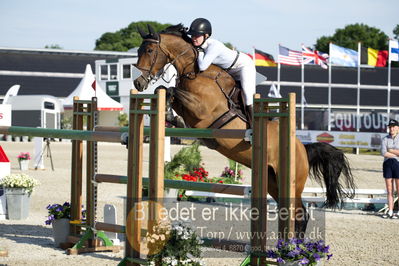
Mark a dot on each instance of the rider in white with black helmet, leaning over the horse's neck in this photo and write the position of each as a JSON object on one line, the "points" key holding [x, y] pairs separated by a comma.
{"points": [[211, 51]]}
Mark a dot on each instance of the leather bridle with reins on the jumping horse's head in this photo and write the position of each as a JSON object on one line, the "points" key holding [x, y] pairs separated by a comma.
{"points": [[154, 78]]}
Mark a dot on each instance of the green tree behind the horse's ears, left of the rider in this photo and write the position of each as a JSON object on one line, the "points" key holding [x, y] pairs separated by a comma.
{"points": [[126, 38]]}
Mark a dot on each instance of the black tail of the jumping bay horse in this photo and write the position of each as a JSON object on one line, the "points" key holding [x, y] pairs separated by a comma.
{"points": [[328, 163]]}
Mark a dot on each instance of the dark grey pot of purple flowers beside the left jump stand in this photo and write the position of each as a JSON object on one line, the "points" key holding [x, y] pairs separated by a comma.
{"points": [[59, 217]]}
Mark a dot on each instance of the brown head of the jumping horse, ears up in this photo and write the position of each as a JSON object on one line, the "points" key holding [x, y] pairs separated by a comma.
{"points": [[151, 59]]}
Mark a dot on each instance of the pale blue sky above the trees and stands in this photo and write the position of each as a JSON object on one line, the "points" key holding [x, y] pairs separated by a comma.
{"points": [[76, 24]]}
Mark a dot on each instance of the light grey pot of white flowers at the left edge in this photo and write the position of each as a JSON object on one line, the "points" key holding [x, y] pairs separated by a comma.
{"points": [[18, 189]]}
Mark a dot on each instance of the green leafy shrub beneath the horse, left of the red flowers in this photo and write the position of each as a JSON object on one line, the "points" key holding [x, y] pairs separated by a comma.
{"points": [[184, 161]]}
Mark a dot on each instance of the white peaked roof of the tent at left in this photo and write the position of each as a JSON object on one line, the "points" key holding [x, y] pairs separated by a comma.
{"points": [[85, 91]]}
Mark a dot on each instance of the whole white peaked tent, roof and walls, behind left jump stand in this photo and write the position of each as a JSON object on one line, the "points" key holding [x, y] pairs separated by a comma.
{"points": [[108, 107]]}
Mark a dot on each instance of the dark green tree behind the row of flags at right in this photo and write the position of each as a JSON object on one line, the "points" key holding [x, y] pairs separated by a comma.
{"points": [[349, 37]]}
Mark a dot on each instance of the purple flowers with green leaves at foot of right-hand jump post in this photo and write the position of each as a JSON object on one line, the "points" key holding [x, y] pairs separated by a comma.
{"points": [[306, 252]]}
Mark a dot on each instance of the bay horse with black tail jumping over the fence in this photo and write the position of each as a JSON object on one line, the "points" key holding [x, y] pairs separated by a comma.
{"points": [[200, 99]]}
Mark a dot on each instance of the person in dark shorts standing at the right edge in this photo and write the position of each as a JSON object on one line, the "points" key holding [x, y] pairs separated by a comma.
{"points": [[390, 151]]}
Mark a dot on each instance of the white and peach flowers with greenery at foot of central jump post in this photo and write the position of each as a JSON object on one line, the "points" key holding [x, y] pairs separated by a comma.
{"points": [[173, 244]]}
